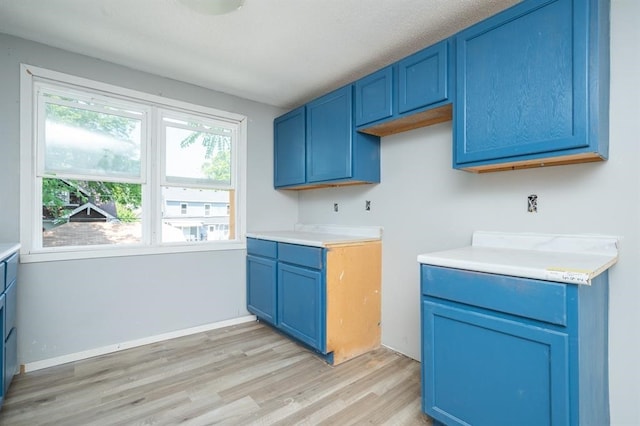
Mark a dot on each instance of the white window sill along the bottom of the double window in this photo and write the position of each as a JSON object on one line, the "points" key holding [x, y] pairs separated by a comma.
{"points": [[78, 253]]}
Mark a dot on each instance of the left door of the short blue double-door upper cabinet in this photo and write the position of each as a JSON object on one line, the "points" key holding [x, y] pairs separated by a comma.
{"points": [[374, 96]]}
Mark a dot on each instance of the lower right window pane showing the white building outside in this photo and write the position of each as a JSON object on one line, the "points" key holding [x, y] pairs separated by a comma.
{"points": [[195, 224]]}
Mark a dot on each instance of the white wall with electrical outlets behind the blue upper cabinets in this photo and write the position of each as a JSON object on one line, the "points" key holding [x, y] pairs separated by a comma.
{"points": [[424, 205]]}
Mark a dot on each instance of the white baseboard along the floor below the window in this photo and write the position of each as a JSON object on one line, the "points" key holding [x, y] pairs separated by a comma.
{"points": [[77, 356]]}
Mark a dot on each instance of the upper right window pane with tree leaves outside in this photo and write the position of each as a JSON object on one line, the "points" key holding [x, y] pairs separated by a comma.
{"points": [[197, 153]]}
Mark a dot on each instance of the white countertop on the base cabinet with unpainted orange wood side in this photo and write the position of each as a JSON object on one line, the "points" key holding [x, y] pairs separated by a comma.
{"points": [[321, 235]]}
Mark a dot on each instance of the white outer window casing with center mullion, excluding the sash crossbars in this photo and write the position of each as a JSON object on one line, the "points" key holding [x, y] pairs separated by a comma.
{"points": [[31, 193]]}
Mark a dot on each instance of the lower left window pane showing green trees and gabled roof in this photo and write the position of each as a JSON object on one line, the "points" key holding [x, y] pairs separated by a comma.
{"points": [[81, 213]]}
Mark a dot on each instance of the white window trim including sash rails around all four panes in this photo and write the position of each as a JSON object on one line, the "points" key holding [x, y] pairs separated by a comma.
{"points": [[153, 176]]}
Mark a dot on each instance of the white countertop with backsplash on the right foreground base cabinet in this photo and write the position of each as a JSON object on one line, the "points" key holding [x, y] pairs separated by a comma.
{"points": [[561, 258]]}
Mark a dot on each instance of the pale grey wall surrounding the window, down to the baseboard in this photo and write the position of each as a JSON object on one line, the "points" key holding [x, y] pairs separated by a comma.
{"points": [[75, 306]]}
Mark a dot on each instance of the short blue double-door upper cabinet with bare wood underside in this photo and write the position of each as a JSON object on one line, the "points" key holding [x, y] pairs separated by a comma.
{"points": [[414, 92]]}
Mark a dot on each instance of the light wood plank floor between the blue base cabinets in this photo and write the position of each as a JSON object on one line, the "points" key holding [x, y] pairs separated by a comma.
{"points": [[246, 374]]}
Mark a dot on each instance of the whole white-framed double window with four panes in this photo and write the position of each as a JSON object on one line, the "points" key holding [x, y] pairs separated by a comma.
{"points": [[114, 171]]}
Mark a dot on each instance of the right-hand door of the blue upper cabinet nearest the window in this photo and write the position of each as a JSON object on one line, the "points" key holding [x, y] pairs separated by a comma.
{"points": [[329, 136]]}
